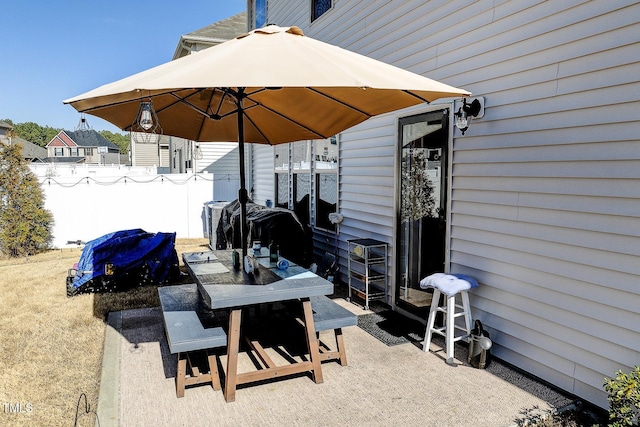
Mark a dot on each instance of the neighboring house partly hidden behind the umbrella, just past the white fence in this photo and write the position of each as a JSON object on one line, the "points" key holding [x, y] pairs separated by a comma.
{"points": [[177, 155]]}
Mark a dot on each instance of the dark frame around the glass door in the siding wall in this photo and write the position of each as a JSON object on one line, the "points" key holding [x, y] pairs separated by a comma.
{"points": [[395, 252]]}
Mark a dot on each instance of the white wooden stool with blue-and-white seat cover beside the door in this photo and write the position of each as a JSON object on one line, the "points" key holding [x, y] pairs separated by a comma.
{"points": [[450, 286]]}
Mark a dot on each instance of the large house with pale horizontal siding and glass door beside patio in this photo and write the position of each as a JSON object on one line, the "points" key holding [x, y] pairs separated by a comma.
{"points": [[538, 199]]}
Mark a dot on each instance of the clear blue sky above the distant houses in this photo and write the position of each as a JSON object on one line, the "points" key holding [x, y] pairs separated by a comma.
{"points": [[55, 50]]}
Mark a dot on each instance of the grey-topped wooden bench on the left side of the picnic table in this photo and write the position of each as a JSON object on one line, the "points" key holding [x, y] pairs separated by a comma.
{"points": [[186, 335]]}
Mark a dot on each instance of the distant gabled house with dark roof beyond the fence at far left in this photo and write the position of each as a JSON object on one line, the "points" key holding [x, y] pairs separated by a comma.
{"points": [[82, 146]]}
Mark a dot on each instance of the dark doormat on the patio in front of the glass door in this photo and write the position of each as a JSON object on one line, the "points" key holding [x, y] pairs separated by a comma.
{"points": [[391, 328]]}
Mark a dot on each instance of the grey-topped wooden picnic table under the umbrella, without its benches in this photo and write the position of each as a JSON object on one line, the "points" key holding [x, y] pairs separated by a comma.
{"points": [[224, 288]]}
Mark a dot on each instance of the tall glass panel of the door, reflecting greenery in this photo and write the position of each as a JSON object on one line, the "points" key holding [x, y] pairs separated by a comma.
{"points": [[421, 217]]}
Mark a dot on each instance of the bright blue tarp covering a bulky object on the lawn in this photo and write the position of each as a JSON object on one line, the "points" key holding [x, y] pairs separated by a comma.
{"points": [[124, 259]]}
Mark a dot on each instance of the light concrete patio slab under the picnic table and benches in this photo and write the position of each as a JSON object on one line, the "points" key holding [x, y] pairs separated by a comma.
{"points": [[381, 386]]}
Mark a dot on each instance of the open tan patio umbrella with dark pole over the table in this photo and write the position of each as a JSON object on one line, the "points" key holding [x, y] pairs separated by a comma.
{"points": [[273, 85]]}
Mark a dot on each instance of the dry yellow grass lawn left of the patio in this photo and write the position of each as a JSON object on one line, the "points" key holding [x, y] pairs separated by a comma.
{"points": [[51, 345]]}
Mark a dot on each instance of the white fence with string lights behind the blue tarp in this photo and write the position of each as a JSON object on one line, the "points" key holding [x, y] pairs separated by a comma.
{"points": [[88, 202]]}
